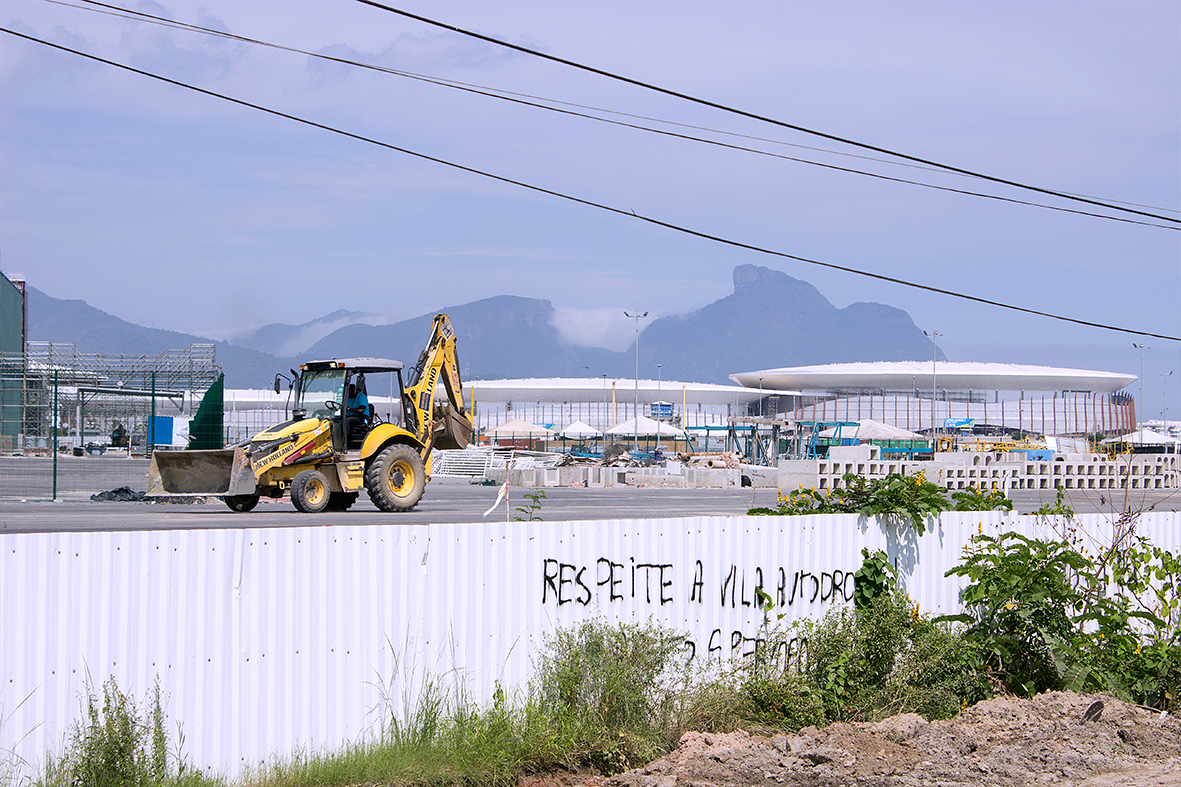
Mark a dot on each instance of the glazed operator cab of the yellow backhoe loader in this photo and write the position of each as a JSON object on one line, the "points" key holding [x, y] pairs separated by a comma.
{"points": [[355, 394]]}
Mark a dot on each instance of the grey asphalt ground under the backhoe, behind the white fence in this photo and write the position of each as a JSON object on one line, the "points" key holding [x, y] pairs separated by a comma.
{"points": [[459, 502]]}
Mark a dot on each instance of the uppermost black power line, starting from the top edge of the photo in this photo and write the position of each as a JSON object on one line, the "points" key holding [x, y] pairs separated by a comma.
{"points": [[764, 119]]}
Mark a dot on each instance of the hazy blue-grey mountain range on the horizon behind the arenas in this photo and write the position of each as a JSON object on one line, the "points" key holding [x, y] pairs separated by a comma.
{"points": [[771, 320]]}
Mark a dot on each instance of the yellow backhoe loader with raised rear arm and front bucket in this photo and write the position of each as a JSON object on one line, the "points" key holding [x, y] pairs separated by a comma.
{"points": [[322, 457]]}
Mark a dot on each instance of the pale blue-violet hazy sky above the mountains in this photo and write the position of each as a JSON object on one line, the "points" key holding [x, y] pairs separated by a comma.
{"points": [[180, 211]]}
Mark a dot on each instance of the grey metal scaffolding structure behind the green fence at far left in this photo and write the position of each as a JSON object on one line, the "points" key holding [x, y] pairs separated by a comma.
{"points": [[101, 401]]}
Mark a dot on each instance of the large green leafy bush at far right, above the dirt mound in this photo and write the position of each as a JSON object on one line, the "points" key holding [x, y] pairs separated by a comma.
{"points": [[1047, 617]]}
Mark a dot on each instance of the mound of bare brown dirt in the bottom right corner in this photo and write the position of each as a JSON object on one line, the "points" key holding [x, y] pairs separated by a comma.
{"points": [[1055, 739]]}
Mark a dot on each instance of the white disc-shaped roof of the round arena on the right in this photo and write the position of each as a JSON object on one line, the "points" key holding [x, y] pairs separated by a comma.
{"points": [[957, 376]]}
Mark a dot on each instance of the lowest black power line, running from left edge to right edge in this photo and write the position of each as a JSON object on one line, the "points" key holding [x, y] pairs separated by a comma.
{"points": [[601, 206]]}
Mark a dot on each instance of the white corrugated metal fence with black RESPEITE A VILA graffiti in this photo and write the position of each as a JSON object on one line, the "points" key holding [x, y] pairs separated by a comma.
{"points": [[273, 641]]}
